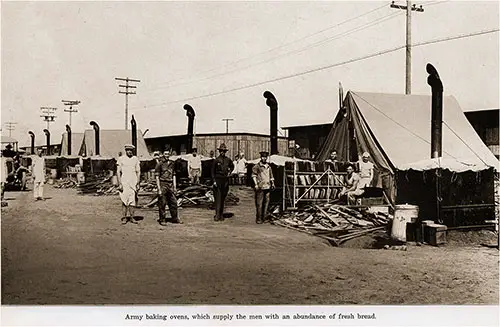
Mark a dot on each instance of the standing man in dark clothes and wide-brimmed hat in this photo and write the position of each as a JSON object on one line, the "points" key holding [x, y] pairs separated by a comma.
{"points": [[221, 170]]}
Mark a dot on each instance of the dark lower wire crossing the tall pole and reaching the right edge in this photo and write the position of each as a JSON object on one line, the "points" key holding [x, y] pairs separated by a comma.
{"points": [[322, 68]]}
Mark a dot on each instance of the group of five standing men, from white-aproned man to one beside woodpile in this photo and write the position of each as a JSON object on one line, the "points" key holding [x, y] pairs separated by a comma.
{"points": [[128, 172]]}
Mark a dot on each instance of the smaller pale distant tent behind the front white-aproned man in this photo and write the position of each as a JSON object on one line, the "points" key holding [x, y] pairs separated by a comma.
{"points": [[111, 143]]}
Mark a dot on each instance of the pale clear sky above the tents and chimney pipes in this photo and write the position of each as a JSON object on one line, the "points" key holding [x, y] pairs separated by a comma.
{"points": [[183, 51]]}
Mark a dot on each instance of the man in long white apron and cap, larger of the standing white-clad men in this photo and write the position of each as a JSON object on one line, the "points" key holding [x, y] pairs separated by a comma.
{"points": [[129, 175]]}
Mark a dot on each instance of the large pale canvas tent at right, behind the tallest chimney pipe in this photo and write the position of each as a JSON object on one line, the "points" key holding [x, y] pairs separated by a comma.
{"points": [[396, 130]]}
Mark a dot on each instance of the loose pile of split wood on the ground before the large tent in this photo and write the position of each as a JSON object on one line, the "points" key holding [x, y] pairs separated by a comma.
{"points": [[335, 223]]}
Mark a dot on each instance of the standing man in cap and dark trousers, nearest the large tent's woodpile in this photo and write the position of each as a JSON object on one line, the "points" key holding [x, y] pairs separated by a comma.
{"points": [[262, 176]]}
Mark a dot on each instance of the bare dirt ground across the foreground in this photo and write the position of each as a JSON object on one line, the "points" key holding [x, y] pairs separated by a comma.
{"points": [[72, 249]]}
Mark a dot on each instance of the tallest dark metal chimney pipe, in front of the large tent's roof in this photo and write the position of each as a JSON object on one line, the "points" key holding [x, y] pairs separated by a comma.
{"points": [[437, 111]]}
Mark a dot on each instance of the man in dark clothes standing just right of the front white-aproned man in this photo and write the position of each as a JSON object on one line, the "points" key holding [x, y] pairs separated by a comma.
{"points": [[165, 182]]}
